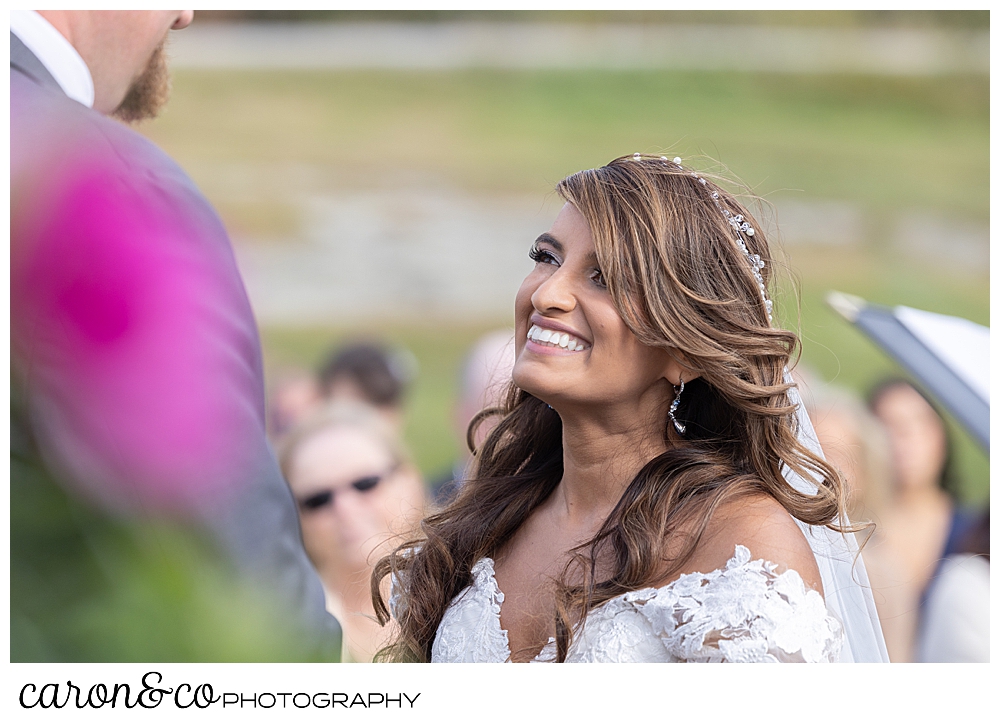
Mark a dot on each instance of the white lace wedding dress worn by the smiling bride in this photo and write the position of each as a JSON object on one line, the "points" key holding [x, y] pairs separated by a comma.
{"points": [[743, 613]]}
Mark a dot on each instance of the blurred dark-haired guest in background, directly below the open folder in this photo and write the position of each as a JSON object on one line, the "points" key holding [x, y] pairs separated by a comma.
{"points": [[922, 522]]}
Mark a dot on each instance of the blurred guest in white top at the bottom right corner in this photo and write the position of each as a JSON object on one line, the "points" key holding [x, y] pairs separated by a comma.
{"points": [[956, 622]]}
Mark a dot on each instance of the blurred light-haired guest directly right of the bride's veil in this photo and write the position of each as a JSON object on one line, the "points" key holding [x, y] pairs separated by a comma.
{"points": [[854, 442]]}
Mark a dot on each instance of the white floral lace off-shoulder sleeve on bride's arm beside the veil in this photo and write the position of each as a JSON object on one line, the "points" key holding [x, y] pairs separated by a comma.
{"points": [[743, 613]]}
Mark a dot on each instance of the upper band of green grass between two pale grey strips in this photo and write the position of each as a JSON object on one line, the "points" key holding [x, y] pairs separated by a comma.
{"points": [[885, 143]]}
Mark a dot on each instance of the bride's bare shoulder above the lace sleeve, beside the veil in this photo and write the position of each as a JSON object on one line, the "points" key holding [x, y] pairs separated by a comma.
{"points": [[761, 524]]}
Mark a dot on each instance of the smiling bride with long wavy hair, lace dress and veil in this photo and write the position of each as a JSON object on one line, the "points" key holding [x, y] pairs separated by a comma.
{"points": [[650, 493]]}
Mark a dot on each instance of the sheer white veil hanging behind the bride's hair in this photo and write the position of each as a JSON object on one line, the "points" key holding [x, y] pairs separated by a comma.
{"points": [[845, 581]]}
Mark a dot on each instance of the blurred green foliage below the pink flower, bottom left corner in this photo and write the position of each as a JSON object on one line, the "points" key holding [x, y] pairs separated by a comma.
{"points": [[89, 587]]}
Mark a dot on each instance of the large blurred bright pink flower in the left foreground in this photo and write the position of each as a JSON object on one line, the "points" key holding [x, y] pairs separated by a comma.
{"points": [[122, 327]]}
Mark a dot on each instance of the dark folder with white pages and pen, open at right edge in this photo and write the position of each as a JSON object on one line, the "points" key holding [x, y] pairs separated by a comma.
{"points": [[950, 356]]}
